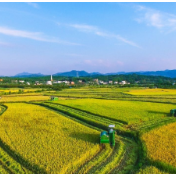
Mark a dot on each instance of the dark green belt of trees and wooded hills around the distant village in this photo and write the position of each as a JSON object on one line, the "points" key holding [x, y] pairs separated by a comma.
{"points": [[134, 79]]}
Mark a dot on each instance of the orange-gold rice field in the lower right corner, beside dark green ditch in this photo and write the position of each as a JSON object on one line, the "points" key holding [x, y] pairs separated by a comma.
{"points": [[161, 143]]}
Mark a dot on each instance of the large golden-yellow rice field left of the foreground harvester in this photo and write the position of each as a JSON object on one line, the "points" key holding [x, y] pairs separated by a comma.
{"points": [[47, 140]]}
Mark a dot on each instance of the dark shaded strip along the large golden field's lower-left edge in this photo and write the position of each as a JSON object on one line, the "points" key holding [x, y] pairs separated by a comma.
{"points": [[18, 158]]}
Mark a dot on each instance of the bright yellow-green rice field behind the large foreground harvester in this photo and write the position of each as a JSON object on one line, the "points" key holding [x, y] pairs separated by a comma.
{"points": [[128, 111]]}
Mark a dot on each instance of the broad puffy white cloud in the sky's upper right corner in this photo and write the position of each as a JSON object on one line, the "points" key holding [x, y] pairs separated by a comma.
{"points": [[151, 17]]}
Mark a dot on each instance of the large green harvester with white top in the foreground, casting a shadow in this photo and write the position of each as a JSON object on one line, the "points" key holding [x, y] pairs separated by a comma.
{"points": [[108, 137]]}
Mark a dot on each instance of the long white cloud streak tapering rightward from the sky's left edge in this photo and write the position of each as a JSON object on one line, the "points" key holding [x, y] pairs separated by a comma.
{"points": [[32, 35]]}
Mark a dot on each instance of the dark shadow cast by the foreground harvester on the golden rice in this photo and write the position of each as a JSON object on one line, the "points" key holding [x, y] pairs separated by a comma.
{"points": [[92, 138]]}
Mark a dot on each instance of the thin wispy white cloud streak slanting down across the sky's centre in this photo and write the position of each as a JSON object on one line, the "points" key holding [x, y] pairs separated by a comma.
{"points": [[95, 30]]}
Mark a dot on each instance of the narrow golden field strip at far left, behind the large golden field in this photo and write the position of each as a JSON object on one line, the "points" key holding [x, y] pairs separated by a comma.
{"points": [[25, 98]]}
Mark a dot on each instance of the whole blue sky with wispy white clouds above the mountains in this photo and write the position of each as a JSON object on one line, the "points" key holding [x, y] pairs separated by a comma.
{"points": [[95, 37]]}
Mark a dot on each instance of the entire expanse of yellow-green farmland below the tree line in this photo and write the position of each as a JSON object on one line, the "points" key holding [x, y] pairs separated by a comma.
{"points": [[41, 136]]}
